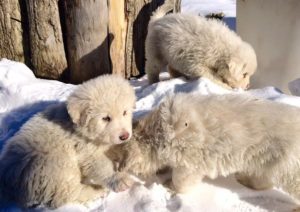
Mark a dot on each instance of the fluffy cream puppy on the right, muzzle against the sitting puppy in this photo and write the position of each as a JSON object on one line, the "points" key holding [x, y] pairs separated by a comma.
{"points": [[212, 136]]}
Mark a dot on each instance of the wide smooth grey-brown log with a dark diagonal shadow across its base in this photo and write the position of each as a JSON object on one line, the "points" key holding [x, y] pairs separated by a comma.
{"points": [[87, 38]]}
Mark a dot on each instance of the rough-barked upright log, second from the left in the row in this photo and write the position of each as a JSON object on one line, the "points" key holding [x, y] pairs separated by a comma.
{"points": [[46, 42]]}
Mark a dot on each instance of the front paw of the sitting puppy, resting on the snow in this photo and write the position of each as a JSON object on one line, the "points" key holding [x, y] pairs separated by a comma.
{"points": [[121, 182]]}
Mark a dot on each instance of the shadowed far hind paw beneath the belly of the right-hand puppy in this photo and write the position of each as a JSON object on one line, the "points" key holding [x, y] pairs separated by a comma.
{"points": [[254, 182]]}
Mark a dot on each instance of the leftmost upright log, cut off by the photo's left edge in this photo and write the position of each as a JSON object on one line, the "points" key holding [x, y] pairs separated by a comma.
{"points": [[11, 45]]}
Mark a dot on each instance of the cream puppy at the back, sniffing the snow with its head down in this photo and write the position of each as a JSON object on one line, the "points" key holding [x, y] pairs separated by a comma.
{"points": [[193, 47]]}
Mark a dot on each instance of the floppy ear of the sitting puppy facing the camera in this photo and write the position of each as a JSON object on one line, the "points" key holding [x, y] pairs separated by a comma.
{"points": [[76, 108]]}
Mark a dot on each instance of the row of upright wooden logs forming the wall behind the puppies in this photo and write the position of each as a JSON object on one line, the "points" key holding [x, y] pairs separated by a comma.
{"points": [[98, 36]]}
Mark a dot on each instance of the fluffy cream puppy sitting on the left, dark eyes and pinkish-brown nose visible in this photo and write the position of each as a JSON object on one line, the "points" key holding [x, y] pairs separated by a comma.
{"points": [[58, 156]]}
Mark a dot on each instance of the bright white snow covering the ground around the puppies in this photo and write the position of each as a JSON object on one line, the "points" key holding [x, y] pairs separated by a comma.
{"points": [[22, 95]]}
